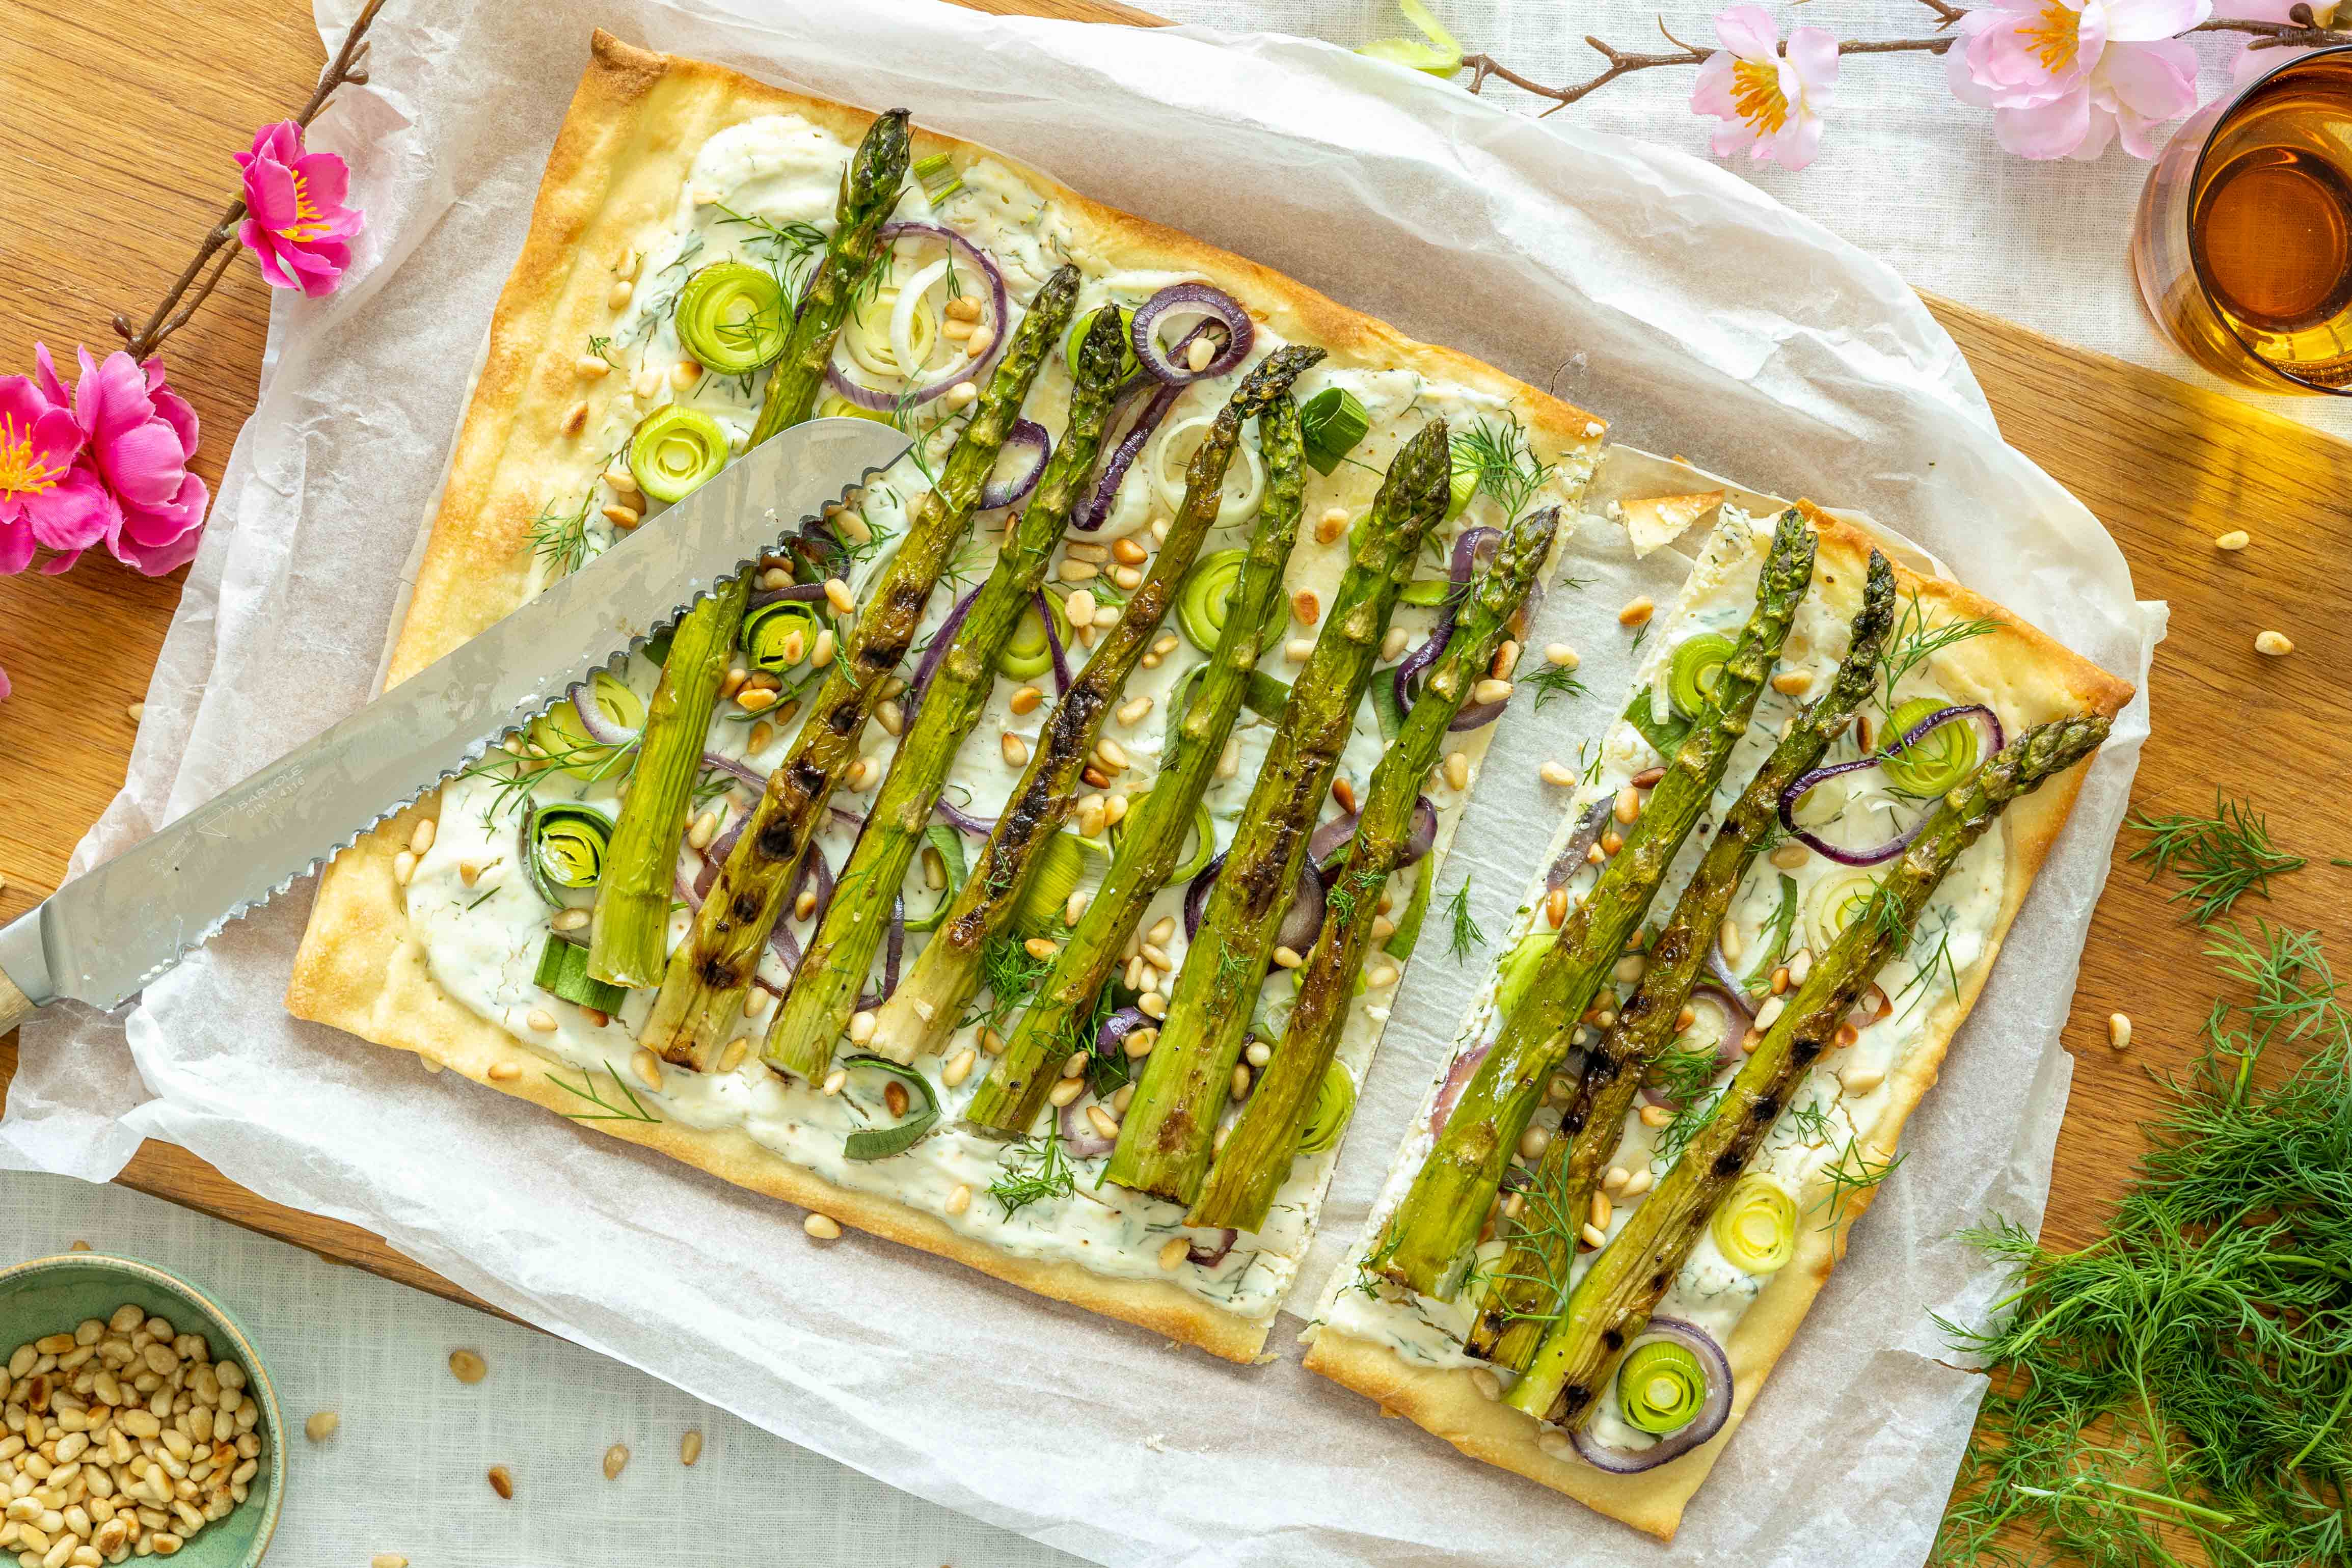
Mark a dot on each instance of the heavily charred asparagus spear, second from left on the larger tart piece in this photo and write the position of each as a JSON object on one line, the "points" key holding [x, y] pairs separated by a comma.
{"points": [[702, 996]]}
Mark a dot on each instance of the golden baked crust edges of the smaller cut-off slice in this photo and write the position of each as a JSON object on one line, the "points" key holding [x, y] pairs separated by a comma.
{"points": [[2024, 676]]}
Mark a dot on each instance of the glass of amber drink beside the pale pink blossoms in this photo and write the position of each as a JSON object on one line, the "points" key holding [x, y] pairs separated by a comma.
{"points": [[2245, 234]]}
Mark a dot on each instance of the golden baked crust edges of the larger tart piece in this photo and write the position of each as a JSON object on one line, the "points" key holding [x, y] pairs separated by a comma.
{"points": [[620, 166]]}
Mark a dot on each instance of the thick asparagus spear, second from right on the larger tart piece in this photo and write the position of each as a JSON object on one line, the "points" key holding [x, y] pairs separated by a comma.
{"points": [[1189, 1076]]}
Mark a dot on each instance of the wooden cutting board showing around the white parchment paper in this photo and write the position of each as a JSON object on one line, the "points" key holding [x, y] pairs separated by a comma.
{"points": [[121, 135]]}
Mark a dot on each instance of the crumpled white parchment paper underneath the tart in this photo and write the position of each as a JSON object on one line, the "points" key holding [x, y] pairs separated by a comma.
{"points": [[1688, 307]]}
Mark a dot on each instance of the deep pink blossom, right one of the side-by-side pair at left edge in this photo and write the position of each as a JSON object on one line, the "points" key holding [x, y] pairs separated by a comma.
{"points": [[140, 436]]}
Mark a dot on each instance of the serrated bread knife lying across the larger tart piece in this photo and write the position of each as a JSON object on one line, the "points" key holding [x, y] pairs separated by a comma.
{"points": [[102, 937]]}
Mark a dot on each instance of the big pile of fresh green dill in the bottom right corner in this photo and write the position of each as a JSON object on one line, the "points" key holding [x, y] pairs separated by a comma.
{"points": [[2181, 1391]]}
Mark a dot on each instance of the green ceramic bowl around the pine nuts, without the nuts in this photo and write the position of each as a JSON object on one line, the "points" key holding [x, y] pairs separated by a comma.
{"points": [[55, 1294]]}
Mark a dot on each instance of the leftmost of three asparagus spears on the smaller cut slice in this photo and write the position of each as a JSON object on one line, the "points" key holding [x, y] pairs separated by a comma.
{"points": [[1438, 1221]]}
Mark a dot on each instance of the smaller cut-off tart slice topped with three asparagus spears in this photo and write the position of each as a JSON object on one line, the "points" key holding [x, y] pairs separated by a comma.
{"points": [[1777, 894]]}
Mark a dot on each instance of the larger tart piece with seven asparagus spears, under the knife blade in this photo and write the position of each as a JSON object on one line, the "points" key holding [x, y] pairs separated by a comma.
{"points": [[1020, 862]]}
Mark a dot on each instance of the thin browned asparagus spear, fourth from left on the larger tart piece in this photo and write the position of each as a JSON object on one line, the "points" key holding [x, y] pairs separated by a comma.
{"points": [[928, 1005]]}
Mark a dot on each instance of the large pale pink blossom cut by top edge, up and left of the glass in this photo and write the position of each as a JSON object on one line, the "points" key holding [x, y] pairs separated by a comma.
{"points": [[2064, 79]]}
